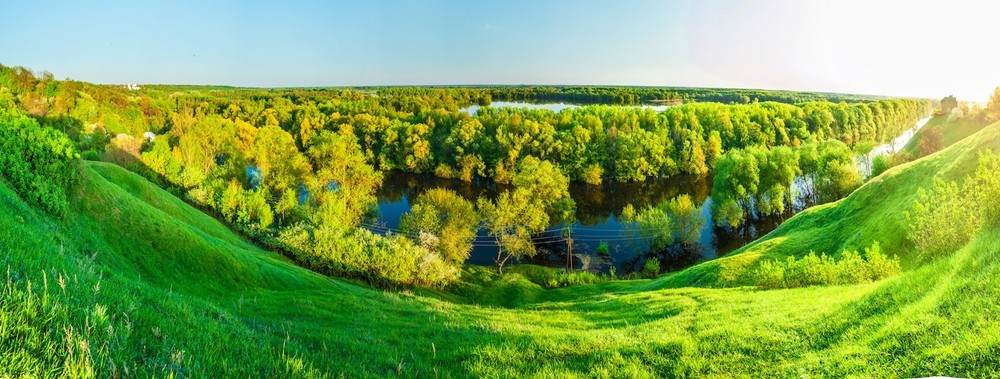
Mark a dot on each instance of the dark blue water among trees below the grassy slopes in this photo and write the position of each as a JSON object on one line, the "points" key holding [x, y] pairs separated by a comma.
{"points": [[598, 211]]}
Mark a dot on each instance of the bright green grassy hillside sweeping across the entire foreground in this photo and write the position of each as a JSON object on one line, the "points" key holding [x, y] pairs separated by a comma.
{"points": [[134, 282]]}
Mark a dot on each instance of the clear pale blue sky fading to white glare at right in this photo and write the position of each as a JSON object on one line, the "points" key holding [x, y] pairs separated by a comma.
{"points": [[911, 48]]}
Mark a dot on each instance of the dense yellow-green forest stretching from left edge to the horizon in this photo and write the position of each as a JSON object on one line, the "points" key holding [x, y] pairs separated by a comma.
{"points": [[297, 169]]}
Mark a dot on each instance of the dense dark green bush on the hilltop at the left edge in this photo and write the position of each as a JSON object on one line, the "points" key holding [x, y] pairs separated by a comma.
{"points": [[40, 164]]}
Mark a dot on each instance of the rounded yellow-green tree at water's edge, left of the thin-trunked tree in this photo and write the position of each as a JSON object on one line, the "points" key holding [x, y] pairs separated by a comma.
{"points": [[451, 219]]}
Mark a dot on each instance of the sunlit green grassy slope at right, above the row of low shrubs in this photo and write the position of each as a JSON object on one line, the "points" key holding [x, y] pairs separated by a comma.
{"points": [[872, 213]]}
